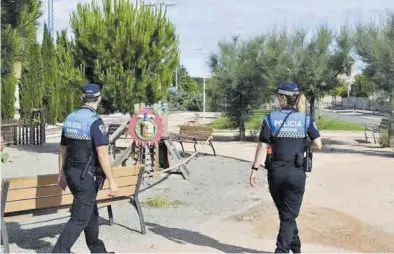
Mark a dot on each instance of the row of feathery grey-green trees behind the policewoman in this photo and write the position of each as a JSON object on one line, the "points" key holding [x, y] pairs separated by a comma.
{"points": [[245, 73]]}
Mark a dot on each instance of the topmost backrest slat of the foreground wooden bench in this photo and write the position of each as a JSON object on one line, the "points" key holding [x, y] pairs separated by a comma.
{"points": [[48, 180]]}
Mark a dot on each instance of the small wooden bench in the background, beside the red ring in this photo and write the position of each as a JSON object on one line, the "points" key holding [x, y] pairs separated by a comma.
{"points": [[197, 134]]}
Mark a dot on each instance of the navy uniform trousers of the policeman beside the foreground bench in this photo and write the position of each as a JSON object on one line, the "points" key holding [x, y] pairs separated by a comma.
{"points": [[84, 214]]}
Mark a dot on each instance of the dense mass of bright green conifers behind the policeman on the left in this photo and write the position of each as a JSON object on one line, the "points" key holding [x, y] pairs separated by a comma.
{"points": [[130, 50]]}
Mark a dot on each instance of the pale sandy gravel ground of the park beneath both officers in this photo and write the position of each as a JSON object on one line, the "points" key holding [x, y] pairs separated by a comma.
{"points": [[347, 207]]}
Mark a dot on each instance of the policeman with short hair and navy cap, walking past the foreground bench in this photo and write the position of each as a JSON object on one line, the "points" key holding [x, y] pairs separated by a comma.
{"points": [[84, 146]]}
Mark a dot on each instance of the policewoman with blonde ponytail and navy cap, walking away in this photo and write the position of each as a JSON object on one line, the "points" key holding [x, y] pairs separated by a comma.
{"points": [[285, 130]]}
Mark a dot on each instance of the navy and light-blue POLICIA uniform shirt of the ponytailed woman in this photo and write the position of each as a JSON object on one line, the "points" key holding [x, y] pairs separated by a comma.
{"points": [[290, 140]]}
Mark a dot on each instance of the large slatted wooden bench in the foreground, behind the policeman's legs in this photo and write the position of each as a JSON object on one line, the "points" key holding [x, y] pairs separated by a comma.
{"points": [[40, 195]]}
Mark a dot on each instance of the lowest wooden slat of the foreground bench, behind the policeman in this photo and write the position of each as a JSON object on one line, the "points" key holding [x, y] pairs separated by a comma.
{"points": [[60, 200]]}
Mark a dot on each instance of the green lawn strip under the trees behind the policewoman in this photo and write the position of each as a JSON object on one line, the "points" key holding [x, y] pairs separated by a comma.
{"points": [[256, 118]]}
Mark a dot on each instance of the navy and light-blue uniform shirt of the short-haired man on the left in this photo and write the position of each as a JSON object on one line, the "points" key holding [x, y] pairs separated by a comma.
{"points": [[83, 131]]}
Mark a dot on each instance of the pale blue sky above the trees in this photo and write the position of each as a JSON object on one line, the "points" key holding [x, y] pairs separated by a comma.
{"points": [[201, 24]]}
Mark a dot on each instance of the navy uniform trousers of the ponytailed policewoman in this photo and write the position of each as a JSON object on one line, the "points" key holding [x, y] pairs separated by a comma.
{"points": [[287, 187]]}
